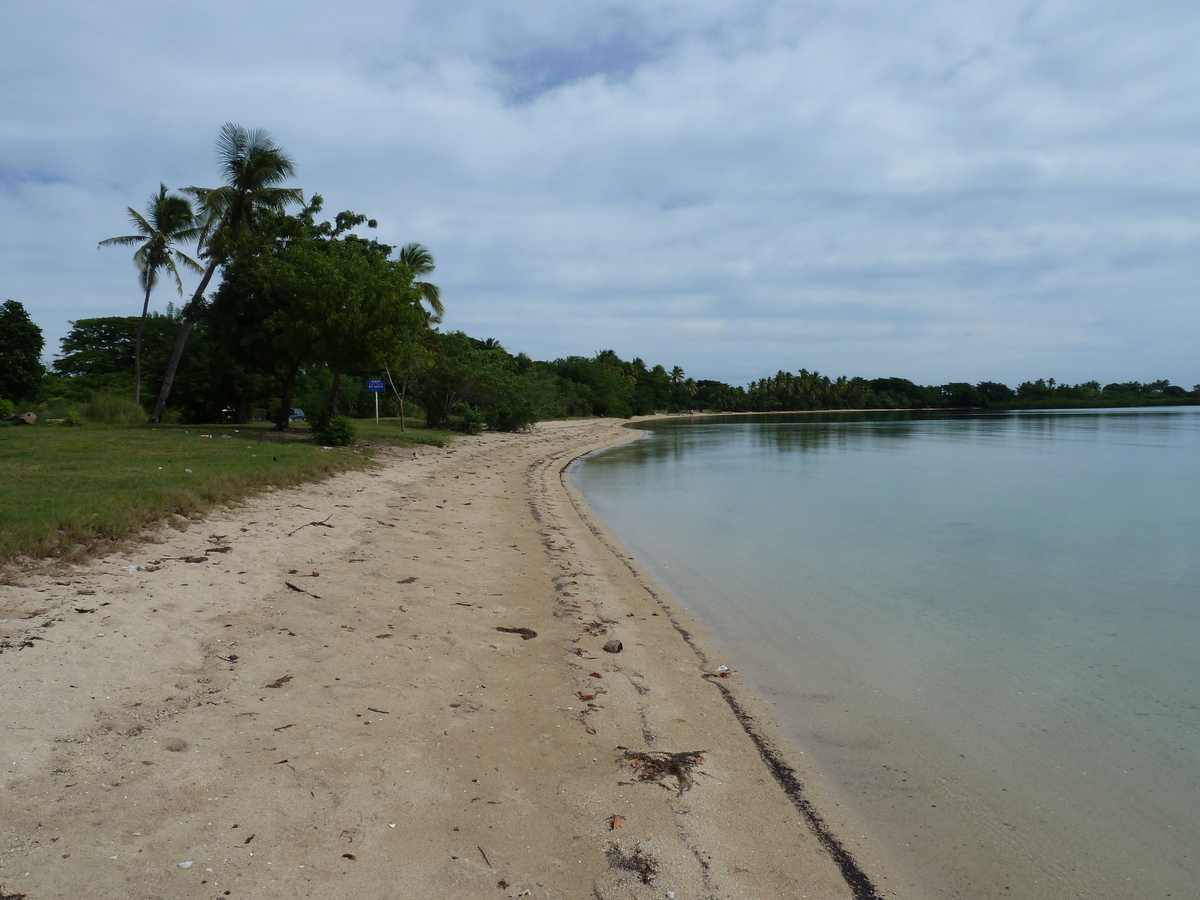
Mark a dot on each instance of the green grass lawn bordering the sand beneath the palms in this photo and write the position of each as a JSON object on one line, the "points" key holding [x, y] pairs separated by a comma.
{"points": [[71, 491]]}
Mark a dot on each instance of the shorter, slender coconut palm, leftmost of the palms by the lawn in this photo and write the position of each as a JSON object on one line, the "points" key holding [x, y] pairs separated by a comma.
{"points": [[169, 221]]}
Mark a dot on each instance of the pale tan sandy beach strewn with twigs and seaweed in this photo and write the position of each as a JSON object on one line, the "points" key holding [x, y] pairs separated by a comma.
{"points": [[392, 685]]}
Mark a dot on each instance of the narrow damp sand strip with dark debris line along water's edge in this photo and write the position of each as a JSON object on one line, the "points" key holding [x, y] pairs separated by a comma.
{"points": [[857, 880]]}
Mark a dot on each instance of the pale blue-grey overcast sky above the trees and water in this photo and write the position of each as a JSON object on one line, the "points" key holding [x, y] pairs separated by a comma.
{"points": [[940, 191]]}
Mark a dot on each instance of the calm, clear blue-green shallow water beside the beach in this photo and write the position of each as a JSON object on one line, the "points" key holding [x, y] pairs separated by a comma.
{"points": [[983, 632]]}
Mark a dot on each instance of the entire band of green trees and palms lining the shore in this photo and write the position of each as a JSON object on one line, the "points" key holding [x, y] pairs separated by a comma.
{"points": [[309, 309]]}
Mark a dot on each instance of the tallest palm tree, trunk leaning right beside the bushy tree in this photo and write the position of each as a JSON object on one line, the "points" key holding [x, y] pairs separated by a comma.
{"points": [[254, 169]]}
